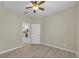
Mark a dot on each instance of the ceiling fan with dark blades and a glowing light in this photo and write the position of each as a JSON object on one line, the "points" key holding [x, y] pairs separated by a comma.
{"points": [[36, 5]]}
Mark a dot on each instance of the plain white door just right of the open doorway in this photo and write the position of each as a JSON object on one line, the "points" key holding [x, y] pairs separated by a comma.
{"points": [[35, 33]]}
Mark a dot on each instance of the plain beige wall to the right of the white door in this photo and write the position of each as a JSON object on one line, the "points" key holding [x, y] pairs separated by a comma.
{"points": [[60, 29]]}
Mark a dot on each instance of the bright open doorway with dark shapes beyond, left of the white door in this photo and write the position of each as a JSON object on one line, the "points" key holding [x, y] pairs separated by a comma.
{"points": [[26, 33]]}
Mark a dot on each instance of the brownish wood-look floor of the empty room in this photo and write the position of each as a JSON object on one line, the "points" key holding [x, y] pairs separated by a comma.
{"points": [[38, 51]]}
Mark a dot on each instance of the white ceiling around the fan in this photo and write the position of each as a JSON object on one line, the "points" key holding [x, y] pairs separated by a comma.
{"points": [[50, 7]]}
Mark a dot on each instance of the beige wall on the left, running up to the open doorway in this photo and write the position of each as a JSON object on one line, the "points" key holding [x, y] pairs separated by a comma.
{"points": [[10, 28]]}
